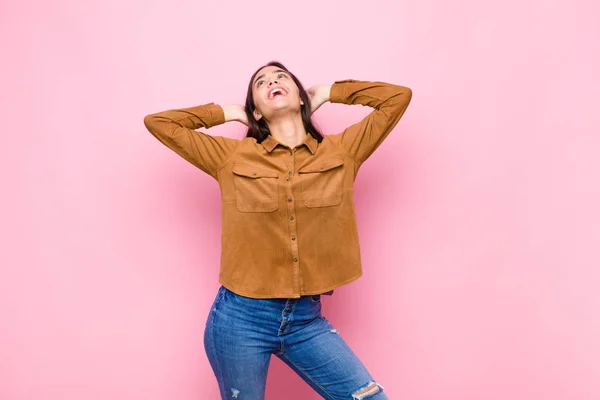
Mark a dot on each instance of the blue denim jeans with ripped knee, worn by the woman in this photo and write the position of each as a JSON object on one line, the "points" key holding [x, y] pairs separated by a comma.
{"points": [[242, 332]]}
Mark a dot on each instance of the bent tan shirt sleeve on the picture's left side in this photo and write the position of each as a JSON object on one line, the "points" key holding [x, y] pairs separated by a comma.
{"points": [[176, 130]]}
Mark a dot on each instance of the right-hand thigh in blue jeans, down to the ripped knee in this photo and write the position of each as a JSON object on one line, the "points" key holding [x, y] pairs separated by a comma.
{"points": [[325, 361]]}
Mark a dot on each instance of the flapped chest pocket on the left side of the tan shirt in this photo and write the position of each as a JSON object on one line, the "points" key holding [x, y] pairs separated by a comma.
{"points": [[255, 188]]}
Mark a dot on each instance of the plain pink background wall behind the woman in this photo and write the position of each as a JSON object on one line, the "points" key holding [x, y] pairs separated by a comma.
{"points": [[479, 216]]}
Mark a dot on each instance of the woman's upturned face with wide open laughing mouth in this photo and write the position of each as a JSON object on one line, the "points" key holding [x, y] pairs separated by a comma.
{"points": [[274, 91]]}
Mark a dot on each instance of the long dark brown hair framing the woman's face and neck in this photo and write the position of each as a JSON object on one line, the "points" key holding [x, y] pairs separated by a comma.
{"points": [[259, 129]]}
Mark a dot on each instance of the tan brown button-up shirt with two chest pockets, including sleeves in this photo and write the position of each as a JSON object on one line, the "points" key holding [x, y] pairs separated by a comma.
{"points": [[289, 227]]}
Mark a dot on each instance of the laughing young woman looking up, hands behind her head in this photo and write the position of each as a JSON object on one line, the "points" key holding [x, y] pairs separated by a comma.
{"points": [[289, 229]]}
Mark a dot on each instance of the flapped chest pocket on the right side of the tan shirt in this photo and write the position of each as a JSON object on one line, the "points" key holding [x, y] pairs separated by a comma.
{"points": [[322, 182]]}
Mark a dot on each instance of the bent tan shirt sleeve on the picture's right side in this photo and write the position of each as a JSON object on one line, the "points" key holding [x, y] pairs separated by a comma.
{"points": [[389, 101]]}
